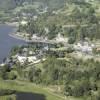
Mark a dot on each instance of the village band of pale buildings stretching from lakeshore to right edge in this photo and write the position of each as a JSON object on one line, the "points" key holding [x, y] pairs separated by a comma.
{"points": [[33, 55]]}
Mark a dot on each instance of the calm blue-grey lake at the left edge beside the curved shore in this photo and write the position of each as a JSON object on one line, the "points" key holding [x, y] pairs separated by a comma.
{"points": [[7, 42]]}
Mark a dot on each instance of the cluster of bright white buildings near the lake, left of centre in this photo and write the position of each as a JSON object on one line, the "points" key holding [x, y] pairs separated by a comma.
{"points": [[30, 56]]}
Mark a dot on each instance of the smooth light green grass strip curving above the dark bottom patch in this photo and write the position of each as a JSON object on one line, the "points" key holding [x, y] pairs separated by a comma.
{"points": [[28, 87]]}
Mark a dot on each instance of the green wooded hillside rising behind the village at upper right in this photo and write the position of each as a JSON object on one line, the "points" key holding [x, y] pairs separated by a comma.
{"points": [[77, 20]]}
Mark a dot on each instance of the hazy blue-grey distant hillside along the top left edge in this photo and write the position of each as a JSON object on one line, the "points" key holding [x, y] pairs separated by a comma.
{"points": [[10, 4]]}
